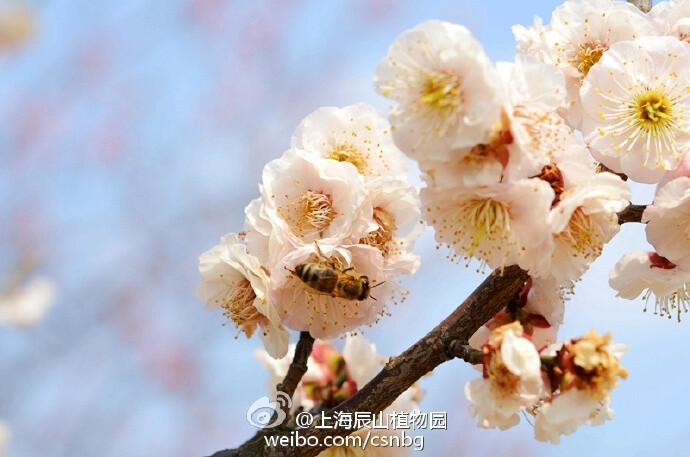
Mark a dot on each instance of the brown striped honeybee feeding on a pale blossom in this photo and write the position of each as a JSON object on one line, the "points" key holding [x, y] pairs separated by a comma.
{"points": [[328, 277]]}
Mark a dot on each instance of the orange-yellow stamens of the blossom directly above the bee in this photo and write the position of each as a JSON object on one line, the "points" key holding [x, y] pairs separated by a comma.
{"points": [[309, 214]]}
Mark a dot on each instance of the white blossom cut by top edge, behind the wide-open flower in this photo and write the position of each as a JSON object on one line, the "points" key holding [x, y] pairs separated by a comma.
{"points": [[580, 33]]}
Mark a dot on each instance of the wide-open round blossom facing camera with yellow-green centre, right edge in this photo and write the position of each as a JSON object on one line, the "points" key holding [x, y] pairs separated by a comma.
{"points": [[637, 106]]}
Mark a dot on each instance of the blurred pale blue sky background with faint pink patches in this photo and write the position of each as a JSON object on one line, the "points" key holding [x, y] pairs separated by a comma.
{"points": [[132, 135]]}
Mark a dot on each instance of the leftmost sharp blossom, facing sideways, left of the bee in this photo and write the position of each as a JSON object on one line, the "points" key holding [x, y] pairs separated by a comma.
{"points": [[233, 280]]}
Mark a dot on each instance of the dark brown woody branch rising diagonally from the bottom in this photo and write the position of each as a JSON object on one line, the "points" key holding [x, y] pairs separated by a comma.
{"points": [[445, 342]]}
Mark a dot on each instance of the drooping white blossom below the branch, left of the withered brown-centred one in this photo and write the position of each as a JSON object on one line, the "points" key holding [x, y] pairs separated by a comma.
{"points": [[511, 379]]}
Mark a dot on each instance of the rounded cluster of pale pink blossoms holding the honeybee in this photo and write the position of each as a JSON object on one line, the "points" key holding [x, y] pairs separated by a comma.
{"points": [[335, 223]]}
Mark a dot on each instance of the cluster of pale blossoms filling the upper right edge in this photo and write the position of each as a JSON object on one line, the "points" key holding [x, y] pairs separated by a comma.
{"points": [[629, 93]]}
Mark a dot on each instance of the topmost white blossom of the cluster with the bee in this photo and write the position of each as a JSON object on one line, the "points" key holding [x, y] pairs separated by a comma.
{"points": [[356, 134]]}
